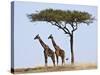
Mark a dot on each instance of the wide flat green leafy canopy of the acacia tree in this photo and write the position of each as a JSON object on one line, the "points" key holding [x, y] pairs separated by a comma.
{"points": [[61, 15]]}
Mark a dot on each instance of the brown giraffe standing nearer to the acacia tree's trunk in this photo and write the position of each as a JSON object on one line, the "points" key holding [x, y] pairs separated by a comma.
{"points": [[58, 50]]}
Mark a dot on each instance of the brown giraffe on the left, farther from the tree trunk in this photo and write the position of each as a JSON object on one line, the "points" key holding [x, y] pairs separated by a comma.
{"points": [[47, 51]]}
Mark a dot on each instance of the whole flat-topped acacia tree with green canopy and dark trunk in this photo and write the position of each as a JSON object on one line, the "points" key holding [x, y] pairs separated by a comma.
{"points": [[67, 21]]}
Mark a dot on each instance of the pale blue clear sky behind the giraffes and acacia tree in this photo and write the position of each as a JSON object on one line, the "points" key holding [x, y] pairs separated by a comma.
{"points": [[29, 53]]}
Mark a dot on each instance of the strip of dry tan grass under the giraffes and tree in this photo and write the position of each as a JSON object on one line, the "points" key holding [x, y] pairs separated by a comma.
{"points": [[67, 67]]}
